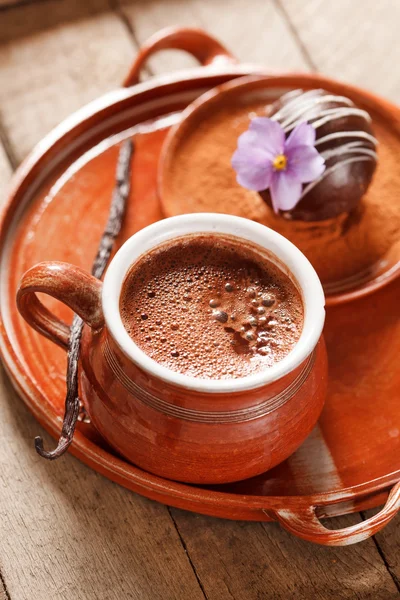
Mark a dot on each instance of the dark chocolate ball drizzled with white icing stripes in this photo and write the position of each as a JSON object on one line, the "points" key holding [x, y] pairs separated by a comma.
{"points": [[345, 140]]}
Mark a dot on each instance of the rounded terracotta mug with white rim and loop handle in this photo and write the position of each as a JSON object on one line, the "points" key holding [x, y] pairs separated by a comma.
{"points": [[174, 425]]}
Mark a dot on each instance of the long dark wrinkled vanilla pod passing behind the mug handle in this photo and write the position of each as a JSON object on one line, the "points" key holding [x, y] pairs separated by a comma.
{"points": [[112, 229]]}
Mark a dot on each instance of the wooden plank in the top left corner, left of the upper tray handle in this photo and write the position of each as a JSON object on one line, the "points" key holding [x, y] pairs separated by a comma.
{"points": [[54, 57]]}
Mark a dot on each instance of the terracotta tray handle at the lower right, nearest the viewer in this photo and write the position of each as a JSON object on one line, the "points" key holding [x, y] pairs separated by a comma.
{"points": [[305, 524]]}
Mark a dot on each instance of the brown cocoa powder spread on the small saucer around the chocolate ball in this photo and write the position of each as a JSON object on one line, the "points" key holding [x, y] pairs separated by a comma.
{"points": [[200, 179]]}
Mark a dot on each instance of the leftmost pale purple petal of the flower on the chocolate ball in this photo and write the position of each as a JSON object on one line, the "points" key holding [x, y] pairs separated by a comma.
{"points": [[253, 169]]}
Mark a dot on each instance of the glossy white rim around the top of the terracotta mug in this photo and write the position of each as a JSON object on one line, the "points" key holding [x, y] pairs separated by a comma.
{"points": [[277, 246]]}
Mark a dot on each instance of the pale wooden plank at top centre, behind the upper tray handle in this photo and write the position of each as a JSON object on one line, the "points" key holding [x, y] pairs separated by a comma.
{"points": [[258, 34]]}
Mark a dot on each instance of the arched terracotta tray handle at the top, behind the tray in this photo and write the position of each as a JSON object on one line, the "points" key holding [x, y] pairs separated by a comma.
{"points": [[197, 42]]}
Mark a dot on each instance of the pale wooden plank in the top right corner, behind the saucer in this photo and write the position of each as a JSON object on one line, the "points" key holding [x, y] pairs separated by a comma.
{"points": [[353, 41]]}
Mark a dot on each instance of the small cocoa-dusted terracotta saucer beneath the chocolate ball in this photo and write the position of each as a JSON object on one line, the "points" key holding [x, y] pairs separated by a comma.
{"points": [[353, 255]]}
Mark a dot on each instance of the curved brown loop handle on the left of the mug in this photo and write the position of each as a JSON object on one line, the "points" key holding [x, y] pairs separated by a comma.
{"points": [[71, 285]]}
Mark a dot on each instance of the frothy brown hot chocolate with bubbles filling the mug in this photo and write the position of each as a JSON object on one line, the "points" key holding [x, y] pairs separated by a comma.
{"points": [[211, 306]]}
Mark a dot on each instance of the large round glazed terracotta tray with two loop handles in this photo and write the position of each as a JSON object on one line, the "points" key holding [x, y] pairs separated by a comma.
{"points": [[56, 210]]}
